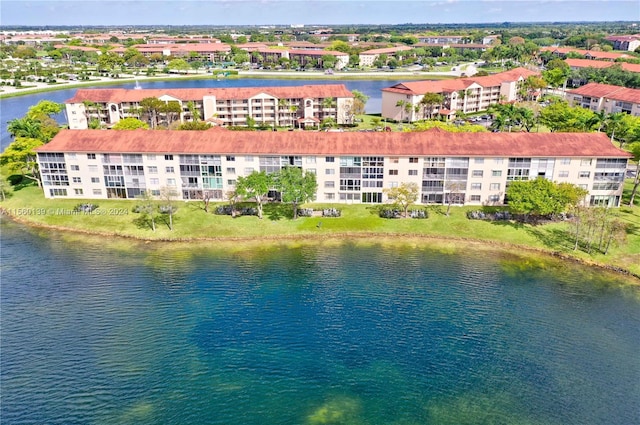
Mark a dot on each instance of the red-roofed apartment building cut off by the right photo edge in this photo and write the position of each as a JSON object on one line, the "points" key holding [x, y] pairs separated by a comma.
{"points": [[606, 97]]}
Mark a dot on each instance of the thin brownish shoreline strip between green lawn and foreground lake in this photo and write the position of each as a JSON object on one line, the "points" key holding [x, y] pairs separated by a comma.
{"points": [[340, 238]]}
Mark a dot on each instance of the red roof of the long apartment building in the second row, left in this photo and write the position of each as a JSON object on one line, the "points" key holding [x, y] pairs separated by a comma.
{"points": [[285, 92]]}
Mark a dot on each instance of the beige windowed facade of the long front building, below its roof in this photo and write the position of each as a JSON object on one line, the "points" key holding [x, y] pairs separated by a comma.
{"points": [[476, 180]]}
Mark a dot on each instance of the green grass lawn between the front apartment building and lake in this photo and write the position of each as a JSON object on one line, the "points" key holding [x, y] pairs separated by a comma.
{"points": [[116, 217]]}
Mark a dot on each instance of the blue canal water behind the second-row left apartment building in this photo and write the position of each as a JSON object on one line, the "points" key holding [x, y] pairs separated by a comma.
{"points": [[16, 107]]}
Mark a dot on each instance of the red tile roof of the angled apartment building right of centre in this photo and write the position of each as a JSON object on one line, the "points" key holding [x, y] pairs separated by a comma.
{"points": [[448, 86]]}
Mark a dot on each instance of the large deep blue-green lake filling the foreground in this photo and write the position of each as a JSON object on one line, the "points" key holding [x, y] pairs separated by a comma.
{"points": [[309, 335]]}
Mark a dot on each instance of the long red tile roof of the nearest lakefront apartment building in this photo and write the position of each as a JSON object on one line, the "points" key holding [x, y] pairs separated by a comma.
{"points": [[429, 143]]}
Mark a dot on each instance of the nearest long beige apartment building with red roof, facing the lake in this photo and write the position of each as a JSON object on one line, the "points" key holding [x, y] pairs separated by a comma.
{"points": [[351, 167]]}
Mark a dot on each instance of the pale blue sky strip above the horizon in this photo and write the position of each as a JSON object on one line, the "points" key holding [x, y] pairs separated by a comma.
{"points": [[309, 12]]}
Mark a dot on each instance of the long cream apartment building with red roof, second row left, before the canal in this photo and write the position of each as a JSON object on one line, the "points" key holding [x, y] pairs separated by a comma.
{"points": [[293, 106]]}
